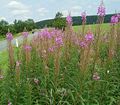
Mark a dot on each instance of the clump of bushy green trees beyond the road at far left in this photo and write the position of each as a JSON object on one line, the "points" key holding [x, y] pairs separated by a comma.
{"points": [[17, 26]]}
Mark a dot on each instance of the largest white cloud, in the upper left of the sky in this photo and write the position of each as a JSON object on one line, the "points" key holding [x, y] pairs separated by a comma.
{"points": [[18, 8]]}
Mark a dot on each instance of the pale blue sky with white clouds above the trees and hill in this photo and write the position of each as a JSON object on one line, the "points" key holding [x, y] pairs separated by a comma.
{"points": [[46, 9]]}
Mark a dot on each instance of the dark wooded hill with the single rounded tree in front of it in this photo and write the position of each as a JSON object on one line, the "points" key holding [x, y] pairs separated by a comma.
{"points": [[60, 21]]}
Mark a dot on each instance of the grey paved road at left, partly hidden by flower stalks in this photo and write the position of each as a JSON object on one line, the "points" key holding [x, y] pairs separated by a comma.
{"points": [[3, 44]]}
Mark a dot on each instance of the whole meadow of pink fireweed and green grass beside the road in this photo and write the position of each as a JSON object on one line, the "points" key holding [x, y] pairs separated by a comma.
{"points": [[64, 67]]}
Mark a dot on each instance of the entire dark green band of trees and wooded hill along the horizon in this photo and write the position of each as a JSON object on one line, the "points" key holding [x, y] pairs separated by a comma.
{"points": [[58, 22]]}
